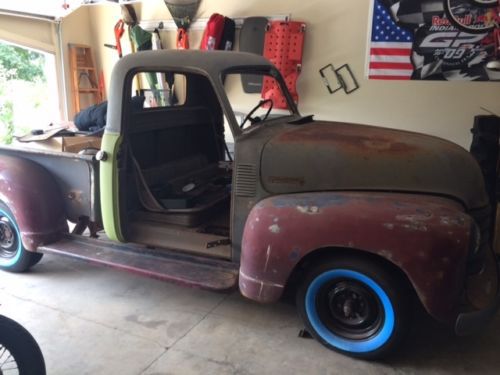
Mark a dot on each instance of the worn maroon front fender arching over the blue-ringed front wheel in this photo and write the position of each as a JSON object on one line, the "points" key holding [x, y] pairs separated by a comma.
{"points": [[426, 237]]}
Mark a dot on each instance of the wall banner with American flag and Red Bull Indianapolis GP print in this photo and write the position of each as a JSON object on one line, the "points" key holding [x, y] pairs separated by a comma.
{"points": [[415, 39]]}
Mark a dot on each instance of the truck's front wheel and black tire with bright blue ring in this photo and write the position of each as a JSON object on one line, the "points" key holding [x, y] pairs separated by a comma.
{"points": [[355, 306]]}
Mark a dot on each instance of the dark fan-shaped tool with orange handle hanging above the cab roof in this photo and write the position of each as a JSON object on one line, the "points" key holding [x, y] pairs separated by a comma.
{"points": [[183, 13]]}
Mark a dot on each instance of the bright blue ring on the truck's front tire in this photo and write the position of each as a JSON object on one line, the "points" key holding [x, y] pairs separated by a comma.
{"points": [[354, 346]]}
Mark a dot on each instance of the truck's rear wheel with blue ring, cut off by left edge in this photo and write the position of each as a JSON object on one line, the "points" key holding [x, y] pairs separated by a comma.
{"points": [[13, 256]]}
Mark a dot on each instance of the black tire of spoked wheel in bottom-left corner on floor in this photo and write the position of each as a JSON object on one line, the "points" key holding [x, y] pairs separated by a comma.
{"points": [[19, 352]]}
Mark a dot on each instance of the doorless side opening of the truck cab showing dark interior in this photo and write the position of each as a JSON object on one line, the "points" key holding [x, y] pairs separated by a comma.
{"points": [[177, 165]]}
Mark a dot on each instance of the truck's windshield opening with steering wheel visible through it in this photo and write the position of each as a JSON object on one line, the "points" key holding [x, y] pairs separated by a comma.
{"points": [[255, 98]]}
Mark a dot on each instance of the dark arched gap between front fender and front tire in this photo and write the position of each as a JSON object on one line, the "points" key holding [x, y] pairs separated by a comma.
{"points": [[326, 253]]}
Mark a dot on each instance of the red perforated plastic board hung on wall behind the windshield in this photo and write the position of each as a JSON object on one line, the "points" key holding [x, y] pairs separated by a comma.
{"points": [[283, 46]]}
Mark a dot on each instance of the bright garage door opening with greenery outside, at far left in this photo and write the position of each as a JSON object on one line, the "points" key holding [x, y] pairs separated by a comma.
{"points": [[28, 91]]}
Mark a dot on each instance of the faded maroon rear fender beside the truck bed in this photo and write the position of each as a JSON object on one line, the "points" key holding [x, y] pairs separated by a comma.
{"points": [[35, 200]]}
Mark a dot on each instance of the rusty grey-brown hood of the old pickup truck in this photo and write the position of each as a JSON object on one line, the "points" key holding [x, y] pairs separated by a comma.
{"points": [[326, 156]]}
